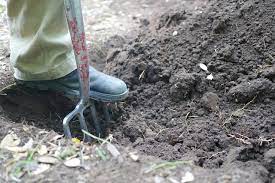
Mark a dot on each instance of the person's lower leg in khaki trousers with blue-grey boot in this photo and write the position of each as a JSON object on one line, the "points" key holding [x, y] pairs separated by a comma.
{"points": [[42, 55]]}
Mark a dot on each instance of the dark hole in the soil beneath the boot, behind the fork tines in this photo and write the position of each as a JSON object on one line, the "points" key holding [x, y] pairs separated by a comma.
{"points": [[45, 110]]}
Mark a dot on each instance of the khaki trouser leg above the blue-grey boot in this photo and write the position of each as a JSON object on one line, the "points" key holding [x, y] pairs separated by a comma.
{"points": [[39, 40]]}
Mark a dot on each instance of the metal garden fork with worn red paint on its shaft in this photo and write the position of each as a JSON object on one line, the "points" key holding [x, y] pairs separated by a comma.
{"points": [[76, 27]]}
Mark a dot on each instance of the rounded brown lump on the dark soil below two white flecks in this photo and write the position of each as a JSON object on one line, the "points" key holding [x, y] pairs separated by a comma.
{"points": [[210, 101]]}
